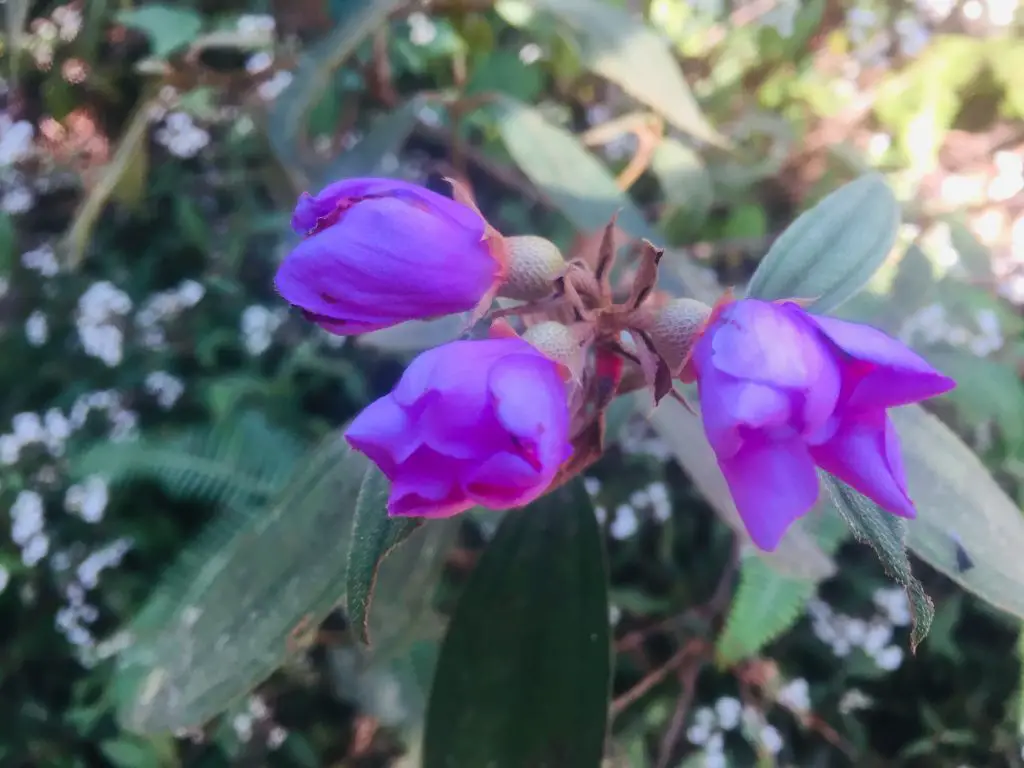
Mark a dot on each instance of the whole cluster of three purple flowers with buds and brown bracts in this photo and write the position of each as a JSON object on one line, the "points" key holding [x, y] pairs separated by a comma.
{"points": [[498, 421]]}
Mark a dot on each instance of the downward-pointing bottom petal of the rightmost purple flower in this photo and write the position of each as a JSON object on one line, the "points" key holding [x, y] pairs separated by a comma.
{"points": [[773, 484]]}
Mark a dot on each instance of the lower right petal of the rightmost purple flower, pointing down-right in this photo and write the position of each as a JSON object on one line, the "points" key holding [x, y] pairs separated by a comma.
{"points": [[865, 453]]}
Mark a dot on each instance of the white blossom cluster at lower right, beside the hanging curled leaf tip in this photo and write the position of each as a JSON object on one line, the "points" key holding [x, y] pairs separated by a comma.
{"points": [[845, 634]]}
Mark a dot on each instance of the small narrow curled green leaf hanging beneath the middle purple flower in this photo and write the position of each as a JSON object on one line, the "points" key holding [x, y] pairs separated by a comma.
{"points": [[375, 535]]}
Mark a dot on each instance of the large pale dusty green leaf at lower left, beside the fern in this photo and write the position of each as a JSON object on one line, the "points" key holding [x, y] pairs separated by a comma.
{"points": [[243, 601]]}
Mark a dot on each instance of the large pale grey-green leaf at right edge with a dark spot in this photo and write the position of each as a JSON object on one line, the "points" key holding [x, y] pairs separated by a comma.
{"points": [[961, 506]]}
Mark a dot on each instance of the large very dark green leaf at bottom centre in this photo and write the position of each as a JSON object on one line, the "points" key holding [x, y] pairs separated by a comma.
{"points": [[524, 674]]}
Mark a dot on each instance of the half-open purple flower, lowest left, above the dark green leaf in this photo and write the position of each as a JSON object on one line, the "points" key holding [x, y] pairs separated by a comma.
{"points": [[471, 423]]}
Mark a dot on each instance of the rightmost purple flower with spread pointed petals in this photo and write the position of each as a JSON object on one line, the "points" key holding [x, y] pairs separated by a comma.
{"points": [[784, 392]]}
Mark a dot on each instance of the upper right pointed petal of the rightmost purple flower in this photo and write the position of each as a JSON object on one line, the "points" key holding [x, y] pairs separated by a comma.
{"points": [[883, 372]]}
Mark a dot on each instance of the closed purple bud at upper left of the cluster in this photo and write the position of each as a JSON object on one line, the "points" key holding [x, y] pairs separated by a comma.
{"points": [[379, 252]]}
